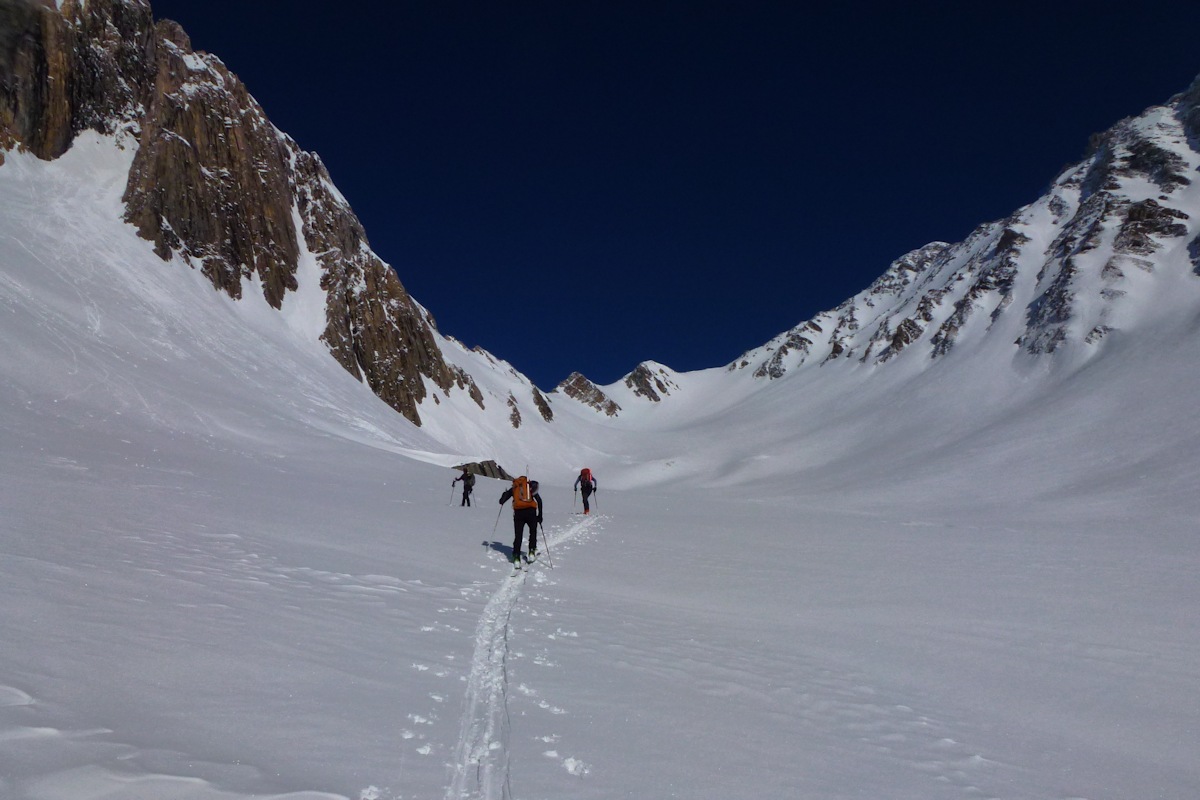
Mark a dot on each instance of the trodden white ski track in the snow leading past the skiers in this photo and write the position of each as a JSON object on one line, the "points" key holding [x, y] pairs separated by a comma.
{"points": [[482, 757]]}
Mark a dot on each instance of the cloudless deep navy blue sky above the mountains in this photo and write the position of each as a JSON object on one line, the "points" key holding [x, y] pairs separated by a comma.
{"points": [[581, 185]]}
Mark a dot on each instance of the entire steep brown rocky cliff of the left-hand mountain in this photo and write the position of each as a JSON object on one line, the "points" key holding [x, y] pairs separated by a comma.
{"points": [[213, 183]]}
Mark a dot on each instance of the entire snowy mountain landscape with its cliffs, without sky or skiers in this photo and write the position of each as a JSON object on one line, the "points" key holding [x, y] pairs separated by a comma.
{"points": [[938, 543]]}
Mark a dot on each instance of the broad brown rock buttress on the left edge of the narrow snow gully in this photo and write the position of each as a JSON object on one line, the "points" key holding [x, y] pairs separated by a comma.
{"points": [[212, 177]]}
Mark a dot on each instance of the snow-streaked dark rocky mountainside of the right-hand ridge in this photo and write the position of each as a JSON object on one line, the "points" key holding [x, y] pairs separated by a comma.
{"points": [[1057, 274]]}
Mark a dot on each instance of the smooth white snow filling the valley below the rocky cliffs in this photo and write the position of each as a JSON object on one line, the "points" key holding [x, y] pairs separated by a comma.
{"points": [[229, 572]]}
